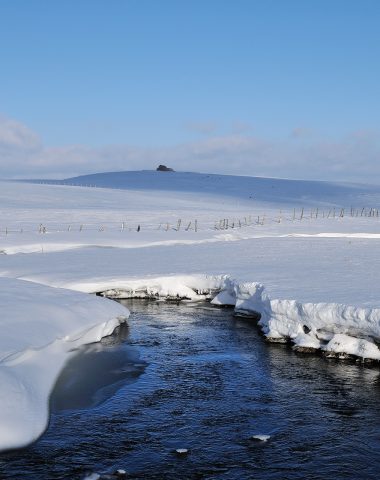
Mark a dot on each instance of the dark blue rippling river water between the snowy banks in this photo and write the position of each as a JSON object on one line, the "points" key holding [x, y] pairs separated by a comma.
{"points": [[194, 377]]}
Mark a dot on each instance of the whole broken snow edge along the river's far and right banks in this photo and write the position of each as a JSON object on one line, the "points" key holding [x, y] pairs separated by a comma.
{"points": [[336, 329]]}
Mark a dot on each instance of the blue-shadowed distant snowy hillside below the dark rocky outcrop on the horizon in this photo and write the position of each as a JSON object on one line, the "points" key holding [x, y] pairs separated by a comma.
{"points": [[262, 189]]}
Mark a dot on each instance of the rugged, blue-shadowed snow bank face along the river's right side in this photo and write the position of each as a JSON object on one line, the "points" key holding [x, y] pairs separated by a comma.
{"points": [[331, 327]]}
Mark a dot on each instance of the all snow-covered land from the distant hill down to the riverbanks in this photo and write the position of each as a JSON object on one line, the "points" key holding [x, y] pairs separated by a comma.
{"points": [[302, 254]]}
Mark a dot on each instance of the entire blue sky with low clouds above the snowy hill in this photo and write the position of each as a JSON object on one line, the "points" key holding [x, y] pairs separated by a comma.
{"points": [[268, 87]]}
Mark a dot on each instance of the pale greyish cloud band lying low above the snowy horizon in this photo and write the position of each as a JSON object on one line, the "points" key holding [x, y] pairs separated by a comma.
{"points": [[353, 158]]}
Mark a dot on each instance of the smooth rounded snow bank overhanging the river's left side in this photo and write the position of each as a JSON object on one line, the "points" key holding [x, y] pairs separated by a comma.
{"points": [[40, 328]]}
